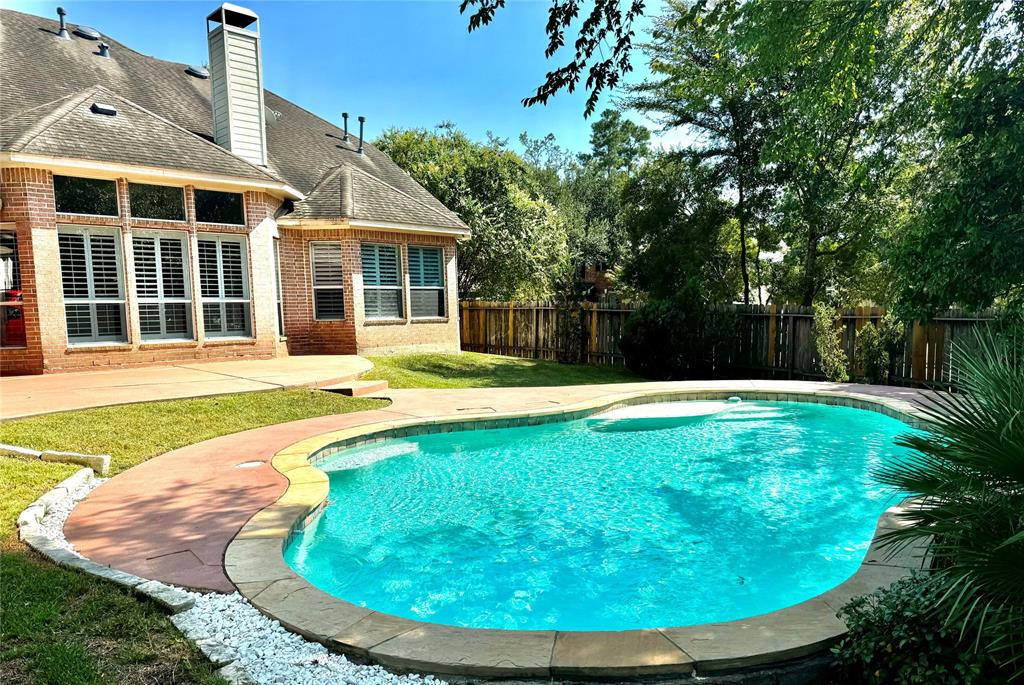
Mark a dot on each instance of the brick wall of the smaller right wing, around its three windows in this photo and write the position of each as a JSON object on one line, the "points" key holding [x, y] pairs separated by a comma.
{"points": [[356, 334]]}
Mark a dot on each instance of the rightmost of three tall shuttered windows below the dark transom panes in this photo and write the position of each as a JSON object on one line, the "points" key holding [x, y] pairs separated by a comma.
{"points": [[225, 286]]}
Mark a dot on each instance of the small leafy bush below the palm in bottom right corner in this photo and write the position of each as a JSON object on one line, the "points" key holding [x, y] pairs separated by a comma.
{"points": [[898, 638]]}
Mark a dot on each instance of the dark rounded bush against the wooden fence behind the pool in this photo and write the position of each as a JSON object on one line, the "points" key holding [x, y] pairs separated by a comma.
{"points": [[677, 338]]}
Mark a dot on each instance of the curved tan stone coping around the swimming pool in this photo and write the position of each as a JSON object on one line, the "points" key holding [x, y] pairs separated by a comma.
{"points": [[254, 563]]}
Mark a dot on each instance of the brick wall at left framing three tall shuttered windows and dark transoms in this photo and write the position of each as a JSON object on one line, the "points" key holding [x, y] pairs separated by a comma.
{"points": [[28, 203]]}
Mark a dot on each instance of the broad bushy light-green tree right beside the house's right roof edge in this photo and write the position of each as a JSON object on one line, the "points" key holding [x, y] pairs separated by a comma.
{"points": [[518, 236]]}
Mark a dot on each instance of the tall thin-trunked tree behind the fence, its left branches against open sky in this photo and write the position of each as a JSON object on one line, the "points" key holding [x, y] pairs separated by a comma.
{"points": [[699, 83]]}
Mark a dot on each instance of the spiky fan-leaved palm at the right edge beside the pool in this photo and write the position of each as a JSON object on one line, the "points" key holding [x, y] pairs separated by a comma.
{"points": [[966, 474]]}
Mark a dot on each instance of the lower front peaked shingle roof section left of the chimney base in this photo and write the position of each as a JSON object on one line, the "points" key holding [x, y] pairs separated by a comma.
{"points": [[135, 136]]}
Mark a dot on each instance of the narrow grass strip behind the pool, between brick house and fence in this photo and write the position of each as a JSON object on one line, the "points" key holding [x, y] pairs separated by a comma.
{"points": [[472, 370]]}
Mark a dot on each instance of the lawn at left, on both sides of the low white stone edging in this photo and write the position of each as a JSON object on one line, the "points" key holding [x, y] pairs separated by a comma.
{"points": [[59, 626]]}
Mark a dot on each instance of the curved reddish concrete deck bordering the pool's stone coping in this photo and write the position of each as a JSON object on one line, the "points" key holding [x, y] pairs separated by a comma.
{"points": [[172, 519]]}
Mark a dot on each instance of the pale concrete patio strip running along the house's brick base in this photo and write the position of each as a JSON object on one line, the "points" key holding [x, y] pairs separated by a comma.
{"points": [[26, 396]]}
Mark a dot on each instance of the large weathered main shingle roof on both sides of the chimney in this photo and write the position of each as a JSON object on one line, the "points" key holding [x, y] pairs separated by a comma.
{"points": [[40, 75]]}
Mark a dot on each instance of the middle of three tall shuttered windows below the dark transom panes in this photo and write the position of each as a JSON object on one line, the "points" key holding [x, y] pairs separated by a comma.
{"points": [[162, 286]]}
